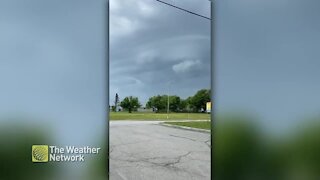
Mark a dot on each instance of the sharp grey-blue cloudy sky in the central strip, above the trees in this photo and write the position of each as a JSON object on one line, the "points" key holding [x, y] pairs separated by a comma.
{"points": [[156, 49]]}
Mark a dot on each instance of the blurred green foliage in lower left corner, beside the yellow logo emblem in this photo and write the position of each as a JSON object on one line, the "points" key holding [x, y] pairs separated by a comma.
{"points": [[16, 140]]}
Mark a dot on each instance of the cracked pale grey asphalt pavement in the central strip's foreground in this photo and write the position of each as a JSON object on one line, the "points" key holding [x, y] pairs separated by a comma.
{"points": [[145, 150]]}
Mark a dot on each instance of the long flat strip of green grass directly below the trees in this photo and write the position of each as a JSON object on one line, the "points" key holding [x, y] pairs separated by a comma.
{"points": [[158, 116]]}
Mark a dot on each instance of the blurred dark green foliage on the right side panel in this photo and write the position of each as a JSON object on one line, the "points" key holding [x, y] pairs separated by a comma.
{"points": [[243, 151]]}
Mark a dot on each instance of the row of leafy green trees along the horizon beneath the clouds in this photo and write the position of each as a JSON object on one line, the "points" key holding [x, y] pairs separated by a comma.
{"points": [[159, 103]]}
